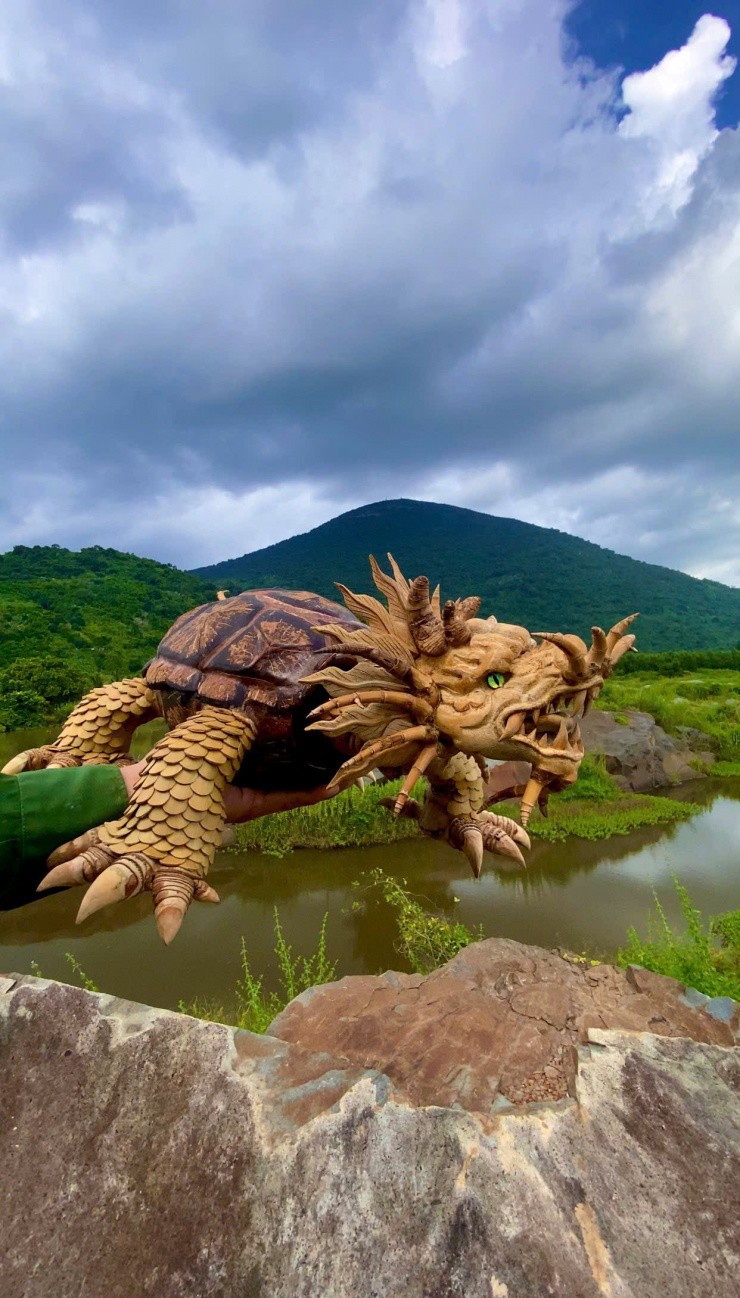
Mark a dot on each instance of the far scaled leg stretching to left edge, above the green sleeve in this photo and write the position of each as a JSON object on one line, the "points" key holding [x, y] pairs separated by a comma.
{"points": [[98, 731]]}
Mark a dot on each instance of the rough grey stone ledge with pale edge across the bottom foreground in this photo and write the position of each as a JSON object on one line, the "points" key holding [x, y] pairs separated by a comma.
{"points": [[149, 1153]]}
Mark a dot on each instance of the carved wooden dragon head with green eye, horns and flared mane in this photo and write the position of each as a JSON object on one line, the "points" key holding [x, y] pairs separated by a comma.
{"points": [[433, 682]]}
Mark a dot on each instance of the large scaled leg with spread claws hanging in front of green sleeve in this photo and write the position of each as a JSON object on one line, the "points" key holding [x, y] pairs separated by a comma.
{"points": [[167, 839]]}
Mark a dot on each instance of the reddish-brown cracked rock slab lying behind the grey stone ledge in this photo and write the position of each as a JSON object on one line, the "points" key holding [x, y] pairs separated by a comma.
{"points": [[489, 1023]]}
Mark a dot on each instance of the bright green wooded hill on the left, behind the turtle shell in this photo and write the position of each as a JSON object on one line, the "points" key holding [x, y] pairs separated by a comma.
{"points": [[69, 621]]}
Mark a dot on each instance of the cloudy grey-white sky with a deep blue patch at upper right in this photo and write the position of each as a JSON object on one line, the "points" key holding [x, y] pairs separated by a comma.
{"points": [[262, 263]]}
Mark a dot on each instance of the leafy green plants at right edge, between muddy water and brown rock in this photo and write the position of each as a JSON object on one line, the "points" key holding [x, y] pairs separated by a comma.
{"points": [[694, 957]]}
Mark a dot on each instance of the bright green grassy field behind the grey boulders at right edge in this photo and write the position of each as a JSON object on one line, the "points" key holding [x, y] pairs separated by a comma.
{"points": [[707, 700]]}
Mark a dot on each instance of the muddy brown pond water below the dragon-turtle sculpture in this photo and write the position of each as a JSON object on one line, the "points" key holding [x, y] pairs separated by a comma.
{"points": [[576, 895]]}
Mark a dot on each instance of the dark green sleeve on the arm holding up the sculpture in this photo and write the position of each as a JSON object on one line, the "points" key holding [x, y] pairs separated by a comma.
{"points": [[42, 809]]}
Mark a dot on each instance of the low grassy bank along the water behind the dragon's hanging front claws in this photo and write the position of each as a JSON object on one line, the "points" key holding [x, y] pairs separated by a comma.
{"points": [[593, 809]]}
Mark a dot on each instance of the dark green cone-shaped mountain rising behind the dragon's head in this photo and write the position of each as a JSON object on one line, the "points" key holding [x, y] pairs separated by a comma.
{"points": [[532, 576]]}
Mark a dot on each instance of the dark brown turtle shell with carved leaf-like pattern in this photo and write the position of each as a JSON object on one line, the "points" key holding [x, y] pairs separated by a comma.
{"points": [[253, 648]]}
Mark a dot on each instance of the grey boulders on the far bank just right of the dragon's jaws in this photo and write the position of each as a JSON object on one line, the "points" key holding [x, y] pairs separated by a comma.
{"points": [[639, 753]]}
